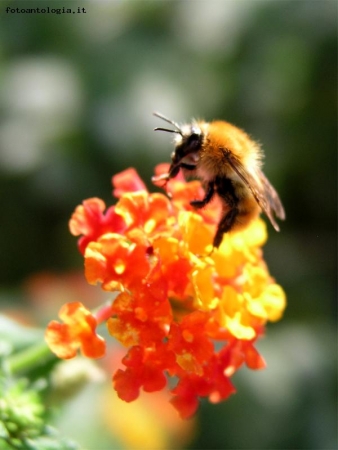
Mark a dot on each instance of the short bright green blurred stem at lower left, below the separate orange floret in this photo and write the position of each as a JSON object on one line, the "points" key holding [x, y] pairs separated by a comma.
{"points": [[30, 358]]}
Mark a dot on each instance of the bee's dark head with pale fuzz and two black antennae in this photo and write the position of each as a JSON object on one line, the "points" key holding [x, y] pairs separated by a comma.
{"points": [[188, 140]]}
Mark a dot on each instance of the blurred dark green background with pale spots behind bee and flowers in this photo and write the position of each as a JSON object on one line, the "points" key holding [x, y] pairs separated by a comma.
{"points": [[77, 92]]}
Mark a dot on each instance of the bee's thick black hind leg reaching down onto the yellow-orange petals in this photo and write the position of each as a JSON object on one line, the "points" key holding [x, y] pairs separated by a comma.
{"points": [[226, 192]]}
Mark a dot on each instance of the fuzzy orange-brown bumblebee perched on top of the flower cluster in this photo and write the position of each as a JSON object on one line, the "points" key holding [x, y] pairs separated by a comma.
{"points": [[229, 164]]}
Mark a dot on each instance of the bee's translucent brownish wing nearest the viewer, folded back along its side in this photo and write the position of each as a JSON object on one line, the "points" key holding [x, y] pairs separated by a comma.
{"points": [[262, 190]]}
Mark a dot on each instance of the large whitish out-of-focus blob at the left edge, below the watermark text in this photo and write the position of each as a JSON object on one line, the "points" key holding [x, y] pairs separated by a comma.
{"points": [[43, 100]]}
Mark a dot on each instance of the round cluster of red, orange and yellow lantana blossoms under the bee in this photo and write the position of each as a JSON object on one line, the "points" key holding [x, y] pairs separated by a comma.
{"points": [[184, 310]]}
